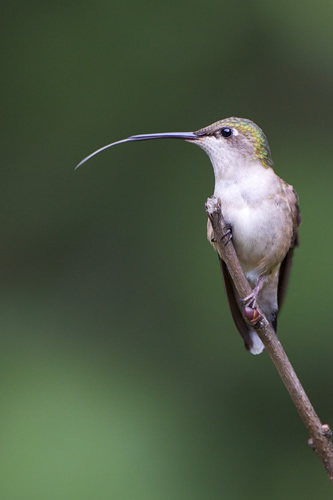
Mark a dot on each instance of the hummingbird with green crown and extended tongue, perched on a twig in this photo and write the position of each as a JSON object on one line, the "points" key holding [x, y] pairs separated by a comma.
{"points": [[260, 209]]}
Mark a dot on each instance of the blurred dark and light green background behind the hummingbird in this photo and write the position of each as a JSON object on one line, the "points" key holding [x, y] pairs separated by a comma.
{"points": [[122, 374]]}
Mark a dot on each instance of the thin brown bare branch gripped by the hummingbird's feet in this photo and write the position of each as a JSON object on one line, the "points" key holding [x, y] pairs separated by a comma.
{"points": [[320, 435]]}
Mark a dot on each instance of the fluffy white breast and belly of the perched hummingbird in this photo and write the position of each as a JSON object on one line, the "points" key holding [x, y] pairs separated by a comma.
{"points": [[251, 205]]}
